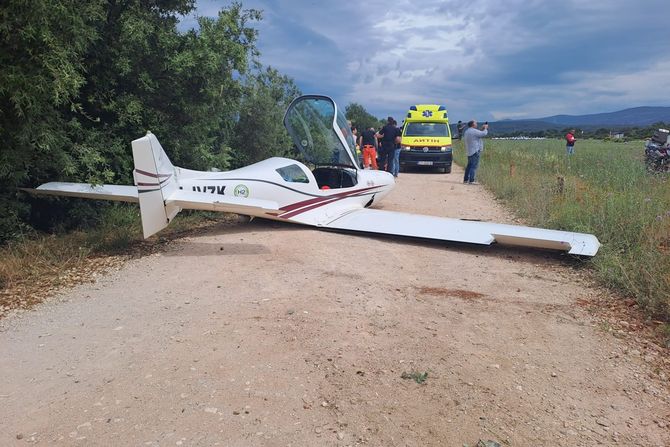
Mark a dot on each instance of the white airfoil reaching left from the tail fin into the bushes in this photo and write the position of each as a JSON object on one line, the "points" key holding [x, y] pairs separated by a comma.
{"points": [[120, 193]]}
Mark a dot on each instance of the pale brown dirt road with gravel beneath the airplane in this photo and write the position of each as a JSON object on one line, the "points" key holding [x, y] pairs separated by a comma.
{"points": [[276, 335]]}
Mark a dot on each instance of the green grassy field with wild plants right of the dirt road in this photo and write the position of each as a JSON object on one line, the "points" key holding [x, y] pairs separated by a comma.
{"points": [[602, 189]]}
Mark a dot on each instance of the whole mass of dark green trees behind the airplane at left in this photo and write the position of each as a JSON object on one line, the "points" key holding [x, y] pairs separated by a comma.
{"points": [[81, 79]]}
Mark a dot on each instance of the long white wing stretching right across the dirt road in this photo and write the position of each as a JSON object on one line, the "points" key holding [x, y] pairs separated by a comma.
{"points": [[456, 230]]}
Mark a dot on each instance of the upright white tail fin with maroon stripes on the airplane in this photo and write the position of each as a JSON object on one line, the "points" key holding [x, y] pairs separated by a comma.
{"points": [[156, 179]]}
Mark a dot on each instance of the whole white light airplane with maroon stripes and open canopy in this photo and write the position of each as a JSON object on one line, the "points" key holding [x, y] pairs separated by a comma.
{"points": [[336, 194]]}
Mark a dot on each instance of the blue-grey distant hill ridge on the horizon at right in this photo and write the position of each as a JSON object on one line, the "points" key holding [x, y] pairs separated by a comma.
{"points": [[633, 117]]}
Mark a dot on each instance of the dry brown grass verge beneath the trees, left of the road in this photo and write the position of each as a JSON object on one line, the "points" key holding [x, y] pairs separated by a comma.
{"points": [[34, 268]]}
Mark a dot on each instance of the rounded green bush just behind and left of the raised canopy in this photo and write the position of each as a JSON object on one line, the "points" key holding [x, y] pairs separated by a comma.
{"points": [[259, 132]]}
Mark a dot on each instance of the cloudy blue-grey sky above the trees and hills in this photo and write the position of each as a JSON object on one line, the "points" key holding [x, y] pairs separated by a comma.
{"points": [[482, 59]]}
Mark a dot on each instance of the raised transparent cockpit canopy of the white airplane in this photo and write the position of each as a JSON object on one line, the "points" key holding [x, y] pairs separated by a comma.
{"points": [[320, 132]]}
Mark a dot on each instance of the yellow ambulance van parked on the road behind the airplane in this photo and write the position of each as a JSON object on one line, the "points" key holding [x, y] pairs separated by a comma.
{"points": [[426, 138]]}
